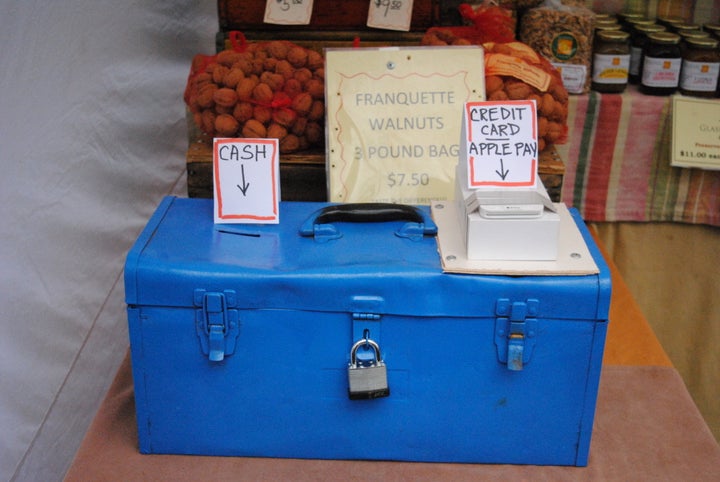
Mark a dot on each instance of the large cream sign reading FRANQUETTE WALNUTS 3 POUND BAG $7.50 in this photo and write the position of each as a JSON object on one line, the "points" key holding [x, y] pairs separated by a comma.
{"points": [[394, 121]]}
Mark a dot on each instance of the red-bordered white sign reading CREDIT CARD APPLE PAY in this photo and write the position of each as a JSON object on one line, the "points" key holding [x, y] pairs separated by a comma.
{"points": [[501, 146]]}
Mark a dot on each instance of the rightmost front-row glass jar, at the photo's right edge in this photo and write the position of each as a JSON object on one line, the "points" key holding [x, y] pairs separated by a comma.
{"points": [[700, 67]]}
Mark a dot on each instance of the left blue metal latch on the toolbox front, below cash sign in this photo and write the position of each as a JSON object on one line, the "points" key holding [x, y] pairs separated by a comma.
{"points": [[216, 322]]}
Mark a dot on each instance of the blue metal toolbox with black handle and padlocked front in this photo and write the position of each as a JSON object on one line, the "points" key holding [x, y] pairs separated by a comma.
{"points": [[336, 334]]}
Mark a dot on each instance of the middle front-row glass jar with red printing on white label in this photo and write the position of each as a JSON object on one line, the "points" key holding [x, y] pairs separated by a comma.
{"points": [[661, 64]]}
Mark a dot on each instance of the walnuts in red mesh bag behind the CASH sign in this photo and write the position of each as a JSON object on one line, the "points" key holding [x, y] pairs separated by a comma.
{"points": [[273, 89]]}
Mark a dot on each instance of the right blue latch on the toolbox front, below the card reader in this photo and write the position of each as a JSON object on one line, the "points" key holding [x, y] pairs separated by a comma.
{"points": [[515, 331]]}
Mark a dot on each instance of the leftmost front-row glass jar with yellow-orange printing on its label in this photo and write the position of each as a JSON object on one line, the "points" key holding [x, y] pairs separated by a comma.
{"points": [[611, 61]]}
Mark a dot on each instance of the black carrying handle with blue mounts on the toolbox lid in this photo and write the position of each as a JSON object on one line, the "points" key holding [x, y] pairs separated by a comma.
{"points": [[367, 213]]}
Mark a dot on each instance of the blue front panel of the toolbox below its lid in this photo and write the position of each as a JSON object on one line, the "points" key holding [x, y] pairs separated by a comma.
{"points": [[284, 392]]}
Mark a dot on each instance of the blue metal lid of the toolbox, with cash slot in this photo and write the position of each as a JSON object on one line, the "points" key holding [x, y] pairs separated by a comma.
{"points": [[356, 266]]}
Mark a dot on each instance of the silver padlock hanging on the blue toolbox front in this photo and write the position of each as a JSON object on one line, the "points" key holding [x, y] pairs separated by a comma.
{"points": [[367, 381]]}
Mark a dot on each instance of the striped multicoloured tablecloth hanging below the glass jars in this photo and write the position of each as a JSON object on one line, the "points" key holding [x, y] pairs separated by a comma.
{"points": [[617, 163]]}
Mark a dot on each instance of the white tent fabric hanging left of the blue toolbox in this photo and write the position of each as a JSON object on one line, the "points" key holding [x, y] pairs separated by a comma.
{"points": [[92, 135]]}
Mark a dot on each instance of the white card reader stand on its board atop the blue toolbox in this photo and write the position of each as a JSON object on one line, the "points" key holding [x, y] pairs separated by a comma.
{"points": [[518, 233]]}
